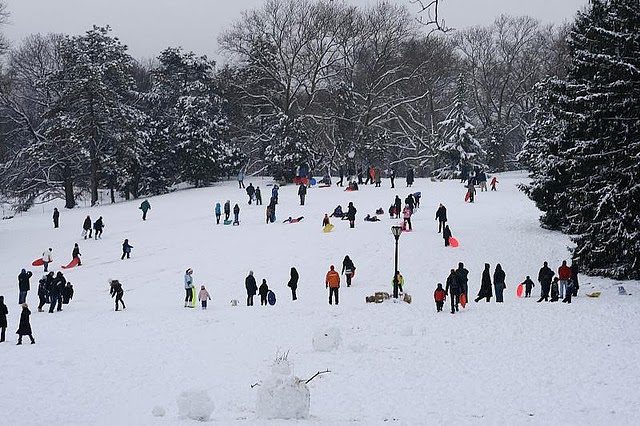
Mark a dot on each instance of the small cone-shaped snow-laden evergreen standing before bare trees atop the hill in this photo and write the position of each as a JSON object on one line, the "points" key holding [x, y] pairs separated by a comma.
{"points": [[459, 149]]}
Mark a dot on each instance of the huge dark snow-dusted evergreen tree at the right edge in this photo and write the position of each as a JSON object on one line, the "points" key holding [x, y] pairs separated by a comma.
{"points": [[599, 105]]}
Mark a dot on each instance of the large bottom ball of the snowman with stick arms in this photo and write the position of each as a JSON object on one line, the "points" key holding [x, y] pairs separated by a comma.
{"points": [[283, 397]]}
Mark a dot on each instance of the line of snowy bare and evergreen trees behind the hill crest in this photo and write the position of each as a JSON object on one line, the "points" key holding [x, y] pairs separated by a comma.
{"points": [[305, 82]]}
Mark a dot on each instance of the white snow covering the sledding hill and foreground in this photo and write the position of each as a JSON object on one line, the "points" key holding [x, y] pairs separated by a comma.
{"points": [[519, 362]]}
